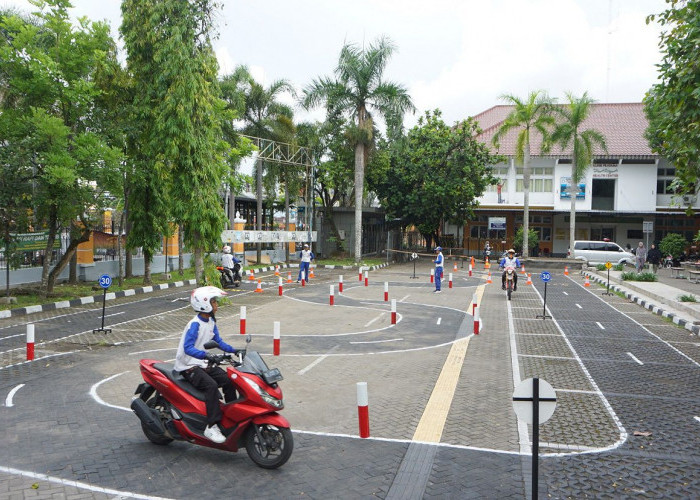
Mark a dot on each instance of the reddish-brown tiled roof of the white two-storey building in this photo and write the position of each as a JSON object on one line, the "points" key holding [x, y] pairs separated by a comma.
{"points": [[622, 125]]}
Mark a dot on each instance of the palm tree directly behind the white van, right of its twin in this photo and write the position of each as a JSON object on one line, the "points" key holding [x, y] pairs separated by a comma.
{"points": [[569, 132]]}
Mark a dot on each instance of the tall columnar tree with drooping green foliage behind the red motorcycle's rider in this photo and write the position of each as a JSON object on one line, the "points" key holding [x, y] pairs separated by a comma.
{"points": [[174, 67]]}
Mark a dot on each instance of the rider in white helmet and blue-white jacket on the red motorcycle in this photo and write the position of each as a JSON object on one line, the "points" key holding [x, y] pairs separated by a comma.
{"points": [[191, 359]]}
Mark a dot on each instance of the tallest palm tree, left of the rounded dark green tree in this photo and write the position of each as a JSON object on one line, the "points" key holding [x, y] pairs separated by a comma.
{"points": [[357, 89]]}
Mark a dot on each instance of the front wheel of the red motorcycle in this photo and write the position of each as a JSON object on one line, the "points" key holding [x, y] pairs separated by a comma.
{"points": [[269, 446]]}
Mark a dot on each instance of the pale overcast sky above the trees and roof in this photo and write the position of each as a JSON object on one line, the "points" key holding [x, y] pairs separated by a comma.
{"points": [[456, 55]]}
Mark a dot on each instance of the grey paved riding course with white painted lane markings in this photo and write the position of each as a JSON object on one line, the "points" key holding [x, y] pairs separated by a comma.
{"points": [[441, 418]]}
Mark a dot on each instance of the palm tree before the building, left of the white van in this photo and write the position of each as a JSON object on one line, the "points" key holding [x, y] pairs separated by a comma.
{"points": [[533, 114]]}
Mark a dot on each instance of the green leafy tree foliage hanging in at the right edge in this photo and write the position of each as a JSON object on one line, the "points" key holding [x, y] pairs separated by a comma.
{"points": [[673, 105]]}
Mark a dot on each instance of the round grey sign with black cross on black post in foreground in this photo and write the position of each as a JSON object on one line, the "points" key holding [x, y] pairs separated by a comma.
{"points": [[534, 402]]}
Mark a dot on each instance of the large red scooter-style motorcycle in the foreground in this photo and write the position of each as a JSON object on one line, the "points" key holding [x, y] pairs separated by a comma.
{"points": [[170, 408]]}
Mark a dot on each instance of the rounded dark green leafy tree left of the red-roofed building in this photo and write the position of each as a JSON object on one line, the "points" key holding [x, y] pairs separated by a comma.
{"points": [[413, 186]]}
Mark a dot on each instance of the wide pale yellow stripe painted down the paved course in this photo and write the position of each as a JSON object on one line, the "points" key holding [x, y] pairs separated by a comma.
{"points": [[432, 423]]}
